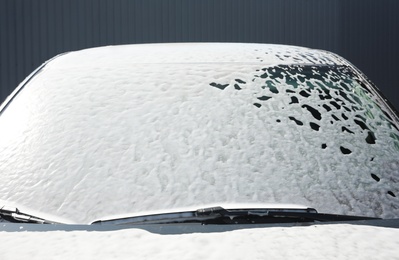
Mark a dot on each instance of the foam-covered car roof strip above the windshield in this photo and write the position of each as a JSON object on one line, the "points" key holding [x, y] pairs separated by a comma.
{"points": [[164, 53]]}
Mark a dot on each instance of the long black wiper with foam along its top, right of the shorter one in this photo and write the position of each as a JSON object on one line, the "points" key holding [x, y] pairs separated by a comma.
{"points": [[219, 215]]}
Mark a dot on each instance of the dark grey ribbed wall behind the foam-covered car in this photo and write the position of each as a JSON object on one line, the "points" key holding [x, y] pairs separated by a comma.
{"points": [[366, 32]]}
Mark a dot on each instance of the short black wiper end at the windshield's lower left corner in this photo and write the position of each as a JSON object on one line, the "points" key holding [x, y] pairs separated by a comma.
{"points": [[13, 215]]}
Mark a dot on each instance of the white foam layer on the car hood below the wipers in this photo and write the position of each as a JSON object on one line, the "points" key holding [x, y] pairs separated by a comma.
{"points": [[312, 242]]}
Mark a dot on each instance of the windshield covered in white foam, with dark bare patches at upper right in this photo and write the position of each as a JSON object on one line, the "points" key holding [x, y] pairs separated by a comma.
{"points": [[88, 142]]}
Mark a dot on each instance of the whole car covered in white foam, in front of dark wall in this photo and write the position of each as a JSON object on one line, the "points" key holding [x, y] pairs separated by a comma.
{"points": [[206, 140]]}
